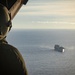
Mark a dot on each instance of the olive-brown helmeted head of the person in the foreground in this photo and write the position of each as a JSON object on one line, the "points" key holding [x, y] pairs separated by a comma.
{"points": [[5, 21]]}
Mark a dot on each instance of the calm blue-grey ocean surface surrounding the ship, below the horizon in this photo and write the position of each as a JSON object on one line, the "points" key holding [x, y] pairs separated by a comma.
{"points": [[37, 49]]}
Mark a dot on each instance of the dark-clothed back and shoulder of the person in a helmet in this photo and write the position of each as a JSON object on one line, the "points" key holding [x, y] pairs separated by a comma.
{"points": [[11, 61]]}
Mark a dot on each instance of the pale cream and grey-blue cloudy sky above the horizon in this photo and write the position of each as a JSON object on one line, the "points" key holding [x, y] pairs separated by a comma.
{"points": [[46, 14]]}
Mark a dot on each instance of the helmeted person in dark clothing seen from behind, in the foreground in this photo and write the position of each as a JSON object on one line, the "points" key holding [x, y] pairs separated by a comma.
{"points": [[11, 61]]}
